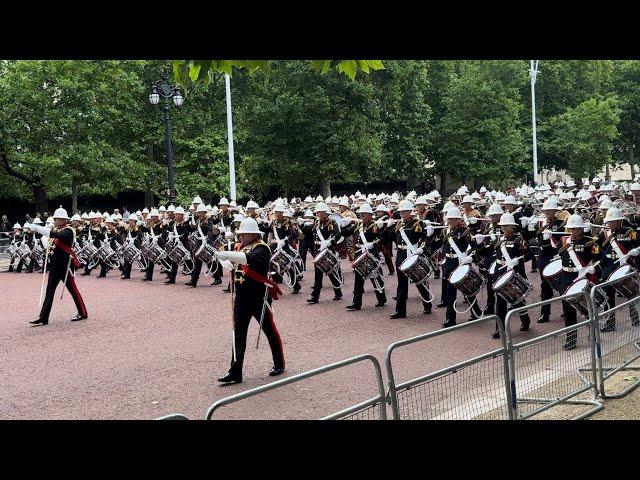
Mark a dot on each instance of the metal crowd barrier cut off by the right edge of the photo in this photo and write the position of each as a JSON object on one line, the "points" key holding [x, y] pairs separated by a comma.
{"points": [[617, 349]]}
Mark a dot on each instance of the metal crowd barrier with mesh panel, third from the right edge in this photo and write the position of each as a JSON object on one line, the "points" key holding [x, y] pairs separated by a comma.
{"points": [[476, 388]]}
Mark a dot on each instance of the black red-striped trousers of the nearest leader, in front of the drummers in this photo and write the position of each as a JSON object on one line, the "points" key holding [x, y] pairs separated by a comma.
{"points": [[243, 310]]}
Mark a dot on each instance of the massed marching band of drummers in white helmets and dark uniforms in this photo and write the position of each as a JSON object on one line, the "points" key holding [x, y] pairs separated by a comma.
{"points": [[477, 243]]}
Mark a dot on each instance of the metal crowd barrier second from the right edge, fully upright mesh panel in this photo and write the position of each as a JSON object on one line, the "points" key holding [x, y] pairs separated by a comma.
{"points": [[543, 375]]}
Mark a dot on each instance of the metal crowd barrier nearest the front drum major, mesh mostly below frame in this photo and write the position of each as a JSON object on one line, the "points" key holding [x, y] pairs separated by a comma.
{"points": [[374, 408]]}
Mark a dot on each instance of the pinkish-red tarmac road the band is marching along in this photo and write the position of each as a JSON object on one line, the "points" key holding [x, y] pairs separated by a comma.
{"points": [[150, 349]]}
